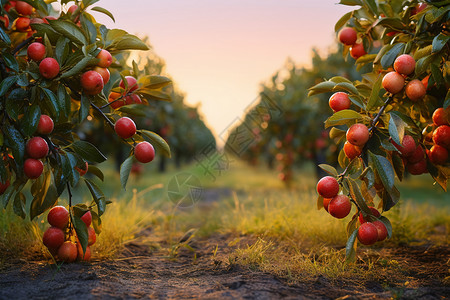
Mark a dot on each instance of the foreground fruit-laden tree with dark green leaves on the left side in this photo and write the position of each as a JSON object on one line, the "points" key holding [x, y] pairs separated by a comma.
{"points": [[55, 78]]}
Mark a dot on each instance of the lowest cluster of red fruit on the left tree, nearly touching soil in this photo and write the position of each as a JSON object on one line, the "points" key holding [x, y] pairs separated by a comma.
{"points": [[60, 238]]}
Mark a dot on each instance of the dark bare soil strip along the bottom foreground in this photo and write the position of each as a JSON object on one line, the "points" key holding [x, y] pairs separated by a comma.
{"points": [[142, 272]]}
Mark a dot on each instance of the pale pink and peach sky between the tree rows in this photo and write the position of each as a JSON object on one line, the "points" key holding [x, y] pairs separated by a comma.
{"points": [[219, 52]]}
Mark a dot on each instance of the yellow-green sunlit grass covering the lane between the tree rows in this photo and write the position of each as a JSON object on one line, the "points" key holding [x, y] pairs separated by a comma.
{"points": [[271, 228]]}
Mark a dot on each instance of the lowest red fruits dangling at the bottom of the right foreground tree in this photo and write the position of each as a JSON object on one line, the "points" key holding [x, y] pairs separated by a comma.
{"points": [[339, 206]]}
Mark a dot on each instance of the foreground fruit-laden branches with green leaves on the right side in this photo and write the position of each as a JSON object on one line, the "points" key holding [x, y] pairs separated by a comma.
{"points": [[398, 119]]}
